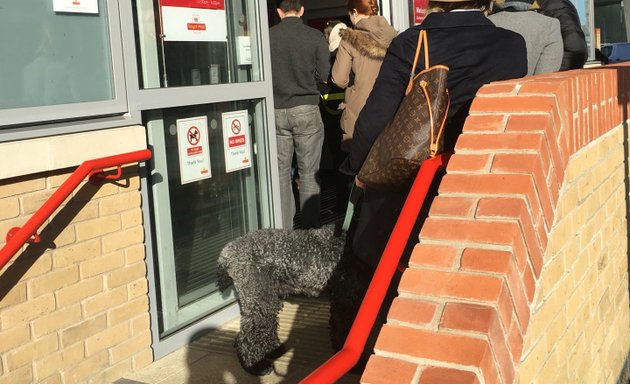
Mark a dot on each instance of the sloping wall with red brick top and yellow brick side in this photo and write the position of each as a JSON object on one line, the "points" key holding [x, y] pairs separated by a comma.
{"points": [[521, 273]]}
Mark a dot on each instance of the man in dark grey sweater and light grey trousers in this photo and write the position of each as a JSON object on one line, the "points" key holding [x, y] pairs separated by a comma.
{"points": [[299, 60]]}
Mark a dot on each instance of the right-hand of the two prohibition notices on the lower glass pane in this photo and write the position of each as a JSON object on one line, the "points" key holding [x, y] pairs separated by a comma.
{"points": [[237, 141]]}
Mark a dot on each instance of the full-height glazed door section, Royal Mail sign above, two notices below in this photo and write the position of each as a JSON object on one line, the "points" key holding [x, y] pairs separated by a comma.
{"points": [[211, 177]]}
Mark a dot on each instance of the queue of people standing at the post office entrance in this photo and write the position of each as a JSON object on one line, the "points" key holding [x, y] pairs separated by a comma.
{"points": [[372, 62]]}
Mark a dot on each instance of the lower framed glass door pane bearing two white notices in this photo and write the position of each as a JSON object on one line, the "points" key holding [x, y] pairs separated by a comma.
{"points": [[196, 218]]}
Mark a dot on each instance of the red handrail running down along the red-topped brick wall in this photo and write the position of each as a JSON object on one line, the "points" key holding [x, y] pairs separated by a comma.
{"points": [[340, 363]]}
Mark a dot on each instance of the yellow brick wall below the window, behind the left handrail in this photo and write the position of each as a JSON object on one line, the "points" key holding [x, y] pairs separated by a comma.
{"points": [[74, 308]]}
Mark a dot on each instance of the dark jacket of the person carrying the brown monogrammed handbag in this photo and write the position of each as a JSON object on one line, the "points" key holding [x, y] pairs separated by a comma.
{"points": [[476, 52]]}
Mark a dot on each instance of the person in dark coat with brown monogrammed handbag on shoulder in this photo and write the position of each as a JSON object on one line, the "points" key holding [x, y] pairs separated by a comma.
{"points": [[477, 52]]}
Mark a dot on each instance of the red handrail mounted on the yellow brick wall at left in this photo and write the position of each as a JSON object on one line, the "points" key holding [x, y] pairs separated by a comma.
{"points": [[17, 237]]}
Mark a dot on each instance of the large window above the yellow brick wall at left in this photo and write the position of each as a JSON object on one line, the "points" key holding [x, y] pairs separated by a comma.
{"points": [[57, 54]]}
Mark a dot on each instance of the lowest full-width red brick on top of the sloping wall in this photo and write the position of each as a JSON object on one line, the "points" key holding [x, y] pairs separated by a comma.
{"points": [[430, 345]]}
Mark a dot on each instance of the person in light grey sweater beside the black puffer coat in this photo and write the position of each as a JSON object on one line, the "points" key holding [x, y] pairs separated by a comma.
{"points": [[541, 33]]}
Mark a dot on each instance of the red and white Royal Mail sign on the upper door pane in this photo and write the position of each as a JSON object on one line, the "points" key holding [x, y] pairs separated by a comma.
{"points": [[194, 20]]}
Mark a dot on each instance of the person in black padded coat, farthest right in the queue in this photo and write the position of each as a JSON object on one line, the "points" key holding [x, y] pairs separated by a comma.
{"points": [[575, 48]]}
